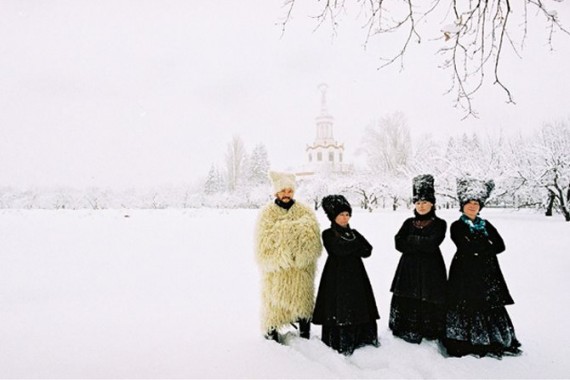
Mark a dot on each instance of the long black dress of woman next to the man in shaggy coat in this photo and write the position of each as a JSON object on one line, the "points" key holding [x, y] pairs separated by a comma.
{"points": [[345, 304]]}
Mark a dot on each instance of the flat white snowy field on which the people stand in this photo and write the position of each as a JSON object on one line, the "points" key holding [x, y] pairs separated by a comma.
{"points": [[175, 294]]}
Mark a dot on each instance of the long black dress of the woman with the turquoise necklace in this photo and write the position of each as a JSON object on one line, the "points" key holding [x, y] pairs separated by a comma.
{"points": [[477, 320]]}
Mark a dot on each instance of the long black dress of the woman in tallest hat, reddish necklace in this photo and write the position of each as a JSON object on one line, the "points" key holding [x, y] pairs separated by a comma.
{"points": [[417, 309]]}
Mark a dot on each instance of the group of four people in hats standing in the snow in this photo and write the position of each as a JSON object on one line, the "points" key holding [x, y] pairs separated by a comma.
{"points": [[465, 312]]}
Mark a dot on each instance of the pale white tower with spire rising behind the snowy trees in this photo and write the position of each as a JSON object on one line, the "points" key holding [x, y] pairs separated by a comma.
{"points": [[325, 154]]}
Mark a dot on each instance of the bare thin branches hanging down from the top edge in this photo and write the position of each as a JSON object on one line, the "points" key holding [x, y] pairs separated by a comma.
{"points": [[471, 44]]}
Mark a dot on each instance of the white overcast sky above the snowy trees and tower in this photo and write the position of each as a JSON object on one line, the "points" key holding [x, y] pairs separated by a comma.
{"points": [[137, 92]]}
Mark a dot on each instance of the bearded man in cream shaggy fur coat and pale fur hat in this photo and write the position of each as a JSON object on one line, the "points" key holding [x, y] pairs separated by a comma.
{"points": [[288, 245]]}
